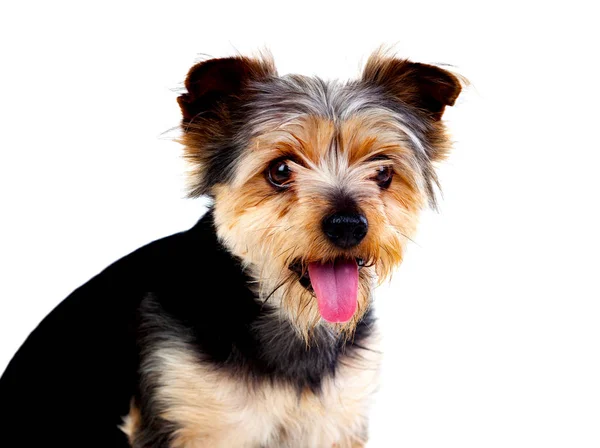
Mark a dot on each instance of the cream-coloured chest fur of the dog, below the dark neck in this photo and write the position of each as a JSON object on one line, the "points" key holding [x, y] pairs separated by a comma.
{"points": [[211, 408]]}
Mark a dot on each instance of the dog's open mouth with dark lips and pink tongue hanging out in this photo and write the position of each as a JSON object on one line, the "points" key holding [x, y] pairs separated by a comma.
{"points": [[334, 283]]}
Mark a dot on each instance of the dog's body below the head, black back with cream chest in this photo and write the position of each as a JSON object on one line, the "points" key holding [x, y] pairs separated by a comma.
{"points": [[225, 368]]}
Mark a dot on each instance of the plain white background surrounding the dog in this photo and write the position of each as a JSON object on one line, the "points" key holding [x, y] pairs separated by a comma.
{"points": [[492, 325]]}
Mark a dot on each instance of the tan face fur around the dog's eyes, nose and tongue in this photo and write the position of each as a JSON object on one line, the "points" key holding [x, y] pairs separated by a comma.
{"points": [[270, 229]]}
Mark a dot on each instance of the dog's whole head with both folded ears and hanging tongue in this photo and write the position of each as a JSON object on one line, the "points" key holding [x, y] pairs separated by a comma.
{"points": [[317, 186]]}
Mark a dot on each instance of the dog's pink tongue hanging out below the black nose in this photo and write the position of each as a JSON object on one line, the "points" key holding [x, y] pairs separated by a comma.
{"points": [[336, 287]]}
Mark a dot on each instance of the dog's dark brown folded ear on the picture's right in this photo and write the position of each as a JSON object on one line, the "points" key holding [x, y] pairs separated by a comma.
{"points": [[426, 87]]}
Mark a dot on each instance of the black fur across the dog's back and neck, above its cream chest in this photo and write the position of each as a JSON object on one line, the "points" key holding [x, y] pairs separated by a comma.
{"points": [[72, 380]]}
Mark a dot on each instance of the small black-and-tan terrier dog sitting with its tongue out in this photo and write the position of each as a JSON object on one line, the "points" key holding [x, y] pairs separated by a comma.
{"points": [[253, 328]]}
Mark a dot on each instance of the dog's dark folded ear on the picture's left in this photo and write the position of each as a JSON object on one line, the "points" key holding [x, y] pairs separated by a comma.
{"points": [[214, 84]]}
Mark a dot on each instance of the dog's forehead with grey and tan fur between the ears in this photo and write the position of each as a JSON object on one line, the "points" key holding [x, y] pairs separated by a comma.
{"points": [[331, 115]]}
